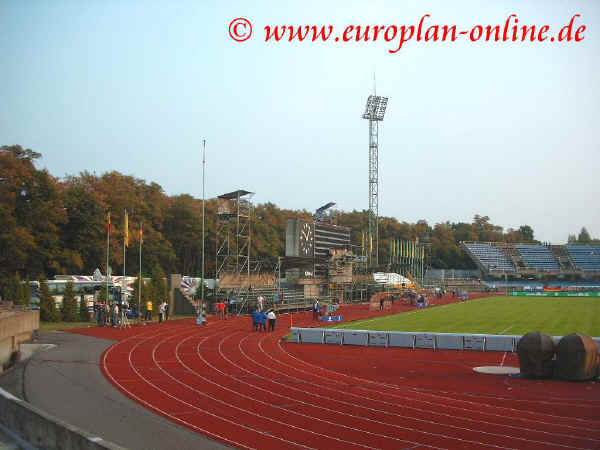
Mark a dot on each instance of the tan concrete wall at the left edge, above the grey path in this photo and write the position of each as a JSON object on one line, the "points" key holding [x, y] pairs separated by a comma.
{"points": [[16, 327]]}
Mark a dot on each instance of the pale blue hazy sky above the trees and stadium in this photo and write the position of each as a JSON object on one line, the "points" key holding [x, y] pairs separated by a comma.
{"points": [[504, 129]]}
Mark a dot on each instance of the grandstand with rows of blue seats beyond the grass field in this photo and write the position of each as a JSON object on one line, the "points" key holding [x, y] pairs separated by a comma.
{"points": [[533, 261]]}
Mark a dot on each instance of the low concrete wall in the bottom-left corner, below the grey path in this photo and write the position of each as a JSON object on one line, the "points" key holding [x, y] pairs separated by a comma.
{"points": [[44, 431]]}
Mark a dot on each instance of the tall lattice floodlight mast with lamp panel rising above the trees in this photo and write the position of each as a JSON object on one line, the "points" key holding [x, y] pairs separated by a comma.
{"points": [[374, 112]]}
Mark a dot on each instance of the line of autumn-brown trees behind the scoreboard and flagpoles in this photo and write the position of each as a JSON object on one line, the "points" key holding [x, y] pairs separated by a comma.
{"points": [[59, 226]]}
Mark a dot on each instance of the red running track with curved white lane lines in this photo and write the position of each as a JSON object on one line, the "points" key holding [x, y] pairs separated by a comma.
{"points": [[251, 390]]}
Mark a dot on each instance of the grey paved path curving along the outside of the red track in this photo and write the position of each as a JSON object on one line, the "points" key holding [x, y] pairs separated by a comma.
{"points": [[66, 382]]}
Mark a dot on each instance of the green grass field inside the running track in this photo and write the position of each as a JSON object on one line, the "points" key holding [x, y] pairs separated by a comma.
{"points": [[496, 315]]}
